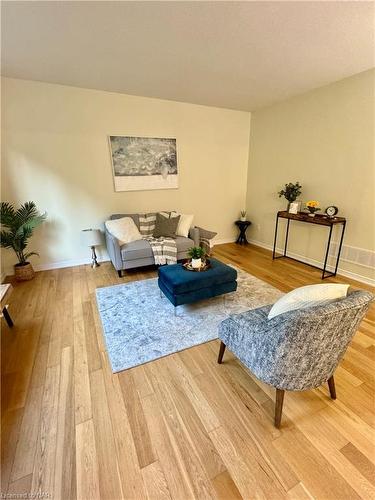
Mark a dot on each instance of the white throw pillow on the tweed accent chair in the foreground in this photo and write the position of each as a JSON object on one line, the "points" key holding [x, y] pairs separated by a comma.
{"points": [[308, 296]]}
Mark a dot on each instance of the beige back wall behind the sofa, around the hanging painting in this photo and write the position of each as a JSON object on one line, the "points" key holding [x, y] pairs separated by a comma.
{"points": [[55, 152]]}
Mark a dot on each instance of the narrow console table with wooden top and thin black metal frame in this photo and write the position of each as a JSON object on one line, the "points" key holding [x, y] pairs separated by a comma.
{"points": [[320, 220]]}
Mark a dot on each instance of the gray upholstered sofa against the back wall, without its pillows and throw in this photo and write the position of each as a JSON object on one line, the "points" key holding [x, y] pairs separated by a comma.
{"points": [[139, 253]]}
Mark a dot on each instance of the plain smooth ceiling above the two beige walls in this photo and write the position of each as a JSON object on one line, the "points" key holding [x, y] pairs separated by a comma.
{"points": [[240, 55]]}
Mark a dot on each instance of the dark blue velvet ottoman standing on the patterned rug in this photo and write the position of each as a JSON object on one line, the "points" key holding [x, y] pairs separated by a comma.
{"points": [[184, 287]]}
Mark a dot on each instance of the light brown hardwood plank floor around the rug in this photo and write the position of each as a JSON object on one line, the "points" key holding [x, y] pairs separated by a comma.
{"points": [[180, 427]]}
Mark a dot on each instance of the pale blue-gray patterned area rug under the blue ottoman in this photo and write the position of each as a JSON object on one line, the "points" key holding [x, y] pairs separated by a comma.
{"points": [[140, 326]]}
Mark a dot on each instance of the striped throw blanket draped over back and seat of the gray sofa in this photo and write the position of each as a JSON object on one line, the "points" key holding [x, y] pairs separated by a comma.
{"points": [[164, 249]]}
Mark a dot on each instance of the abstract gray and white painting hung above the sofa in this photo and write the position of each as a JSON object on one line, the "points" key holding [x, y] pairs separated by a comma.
{"points": [[143, 163]]}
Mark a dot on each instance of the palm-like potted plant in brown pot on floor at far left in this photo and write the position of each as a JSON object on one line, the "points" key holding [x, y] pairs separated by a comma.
{"points": [[17, 227]]}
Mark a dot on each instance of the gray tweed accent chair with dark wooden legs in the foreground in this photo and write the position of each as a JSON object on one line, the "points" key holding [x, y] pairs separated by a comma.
{"points": [[298, 350]]}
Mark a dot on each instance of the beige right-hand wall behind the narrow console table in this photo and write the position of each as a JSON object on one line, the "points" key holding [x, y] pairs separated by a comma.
{"points": [[325, 140]]}
